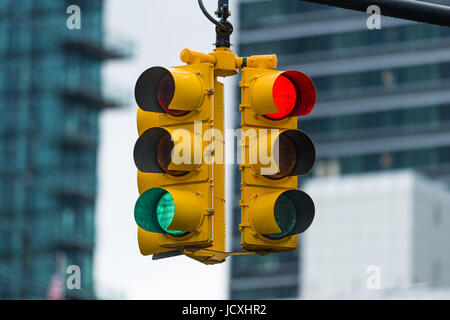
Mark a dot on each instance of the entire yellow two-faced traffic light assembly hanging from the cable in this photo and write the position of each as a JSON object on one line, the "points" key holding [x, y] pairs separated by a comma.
{"points": [[180, 156]]}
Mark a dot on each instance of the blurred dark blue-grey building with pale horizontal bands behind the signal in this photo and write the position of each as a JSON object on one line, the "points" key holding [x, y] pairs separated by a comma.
{"points": [[383, 103]]}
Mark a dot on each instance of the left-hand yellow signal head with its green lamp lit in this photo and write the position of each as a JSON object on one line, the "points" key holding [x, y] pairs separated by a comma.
{"points": [[180, 206]]}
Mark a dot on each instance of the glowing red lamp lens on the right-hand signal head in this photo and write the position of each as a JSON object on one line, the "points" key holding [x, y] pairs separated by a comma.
{"points": [[285, 97]]}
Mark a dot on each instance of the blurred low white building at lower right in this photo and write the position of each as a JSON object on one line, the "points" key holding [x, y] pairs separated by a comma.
{"points": [[377, 236]]}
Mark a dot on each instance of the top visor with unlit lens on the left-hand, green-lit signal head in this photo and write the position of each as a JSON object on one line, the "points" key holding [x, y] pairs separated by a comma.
{"points": [[175, 91]]}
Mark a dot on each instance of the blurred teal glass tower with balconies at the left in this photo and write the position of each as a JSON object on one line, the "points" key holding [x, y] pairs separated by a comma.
{"points": [[50, 100]]}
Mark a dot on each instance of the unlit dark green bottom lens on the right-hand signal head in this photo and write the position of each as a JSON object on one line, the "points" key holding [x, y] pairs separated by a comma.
{"points": [[285, 214]]}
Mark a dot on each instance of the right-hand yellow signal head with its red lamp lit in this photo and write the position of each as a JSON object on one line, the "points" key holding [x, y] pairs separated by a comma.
{"points": [[273, 154]]}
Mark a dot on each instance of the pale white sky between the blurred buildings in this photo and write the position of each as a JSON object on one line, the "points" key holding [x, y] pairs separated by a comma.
{"points": [[159, 31]]}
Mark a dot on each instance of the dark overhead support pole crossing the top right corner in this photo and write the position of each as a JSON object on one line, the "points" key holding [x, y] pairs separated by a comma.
{"points": [[418, 11]]}
